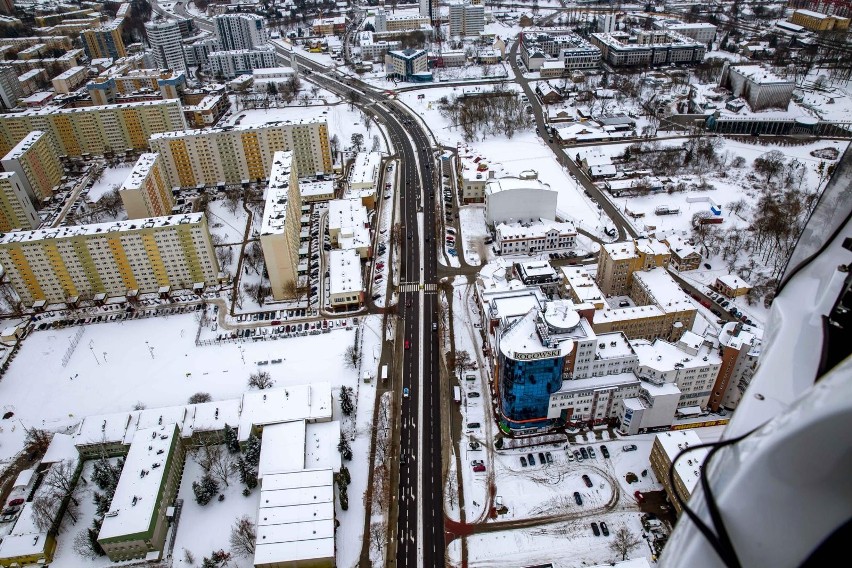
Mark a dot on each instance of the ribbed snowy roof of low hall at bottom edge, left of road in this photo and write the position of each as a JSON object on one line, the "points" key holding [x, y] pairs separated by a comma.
{"points": [[296, 517]]}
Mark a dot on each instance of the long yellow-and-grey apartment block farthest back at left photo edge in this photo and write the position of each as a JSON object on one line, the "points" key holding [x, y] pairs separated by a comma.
{"points": [[94, 130]]}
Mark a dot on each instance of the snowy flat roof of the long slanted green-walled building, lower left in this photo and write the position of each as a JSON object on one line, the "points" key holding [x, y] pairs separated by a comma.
{"points": [[135, 501]]}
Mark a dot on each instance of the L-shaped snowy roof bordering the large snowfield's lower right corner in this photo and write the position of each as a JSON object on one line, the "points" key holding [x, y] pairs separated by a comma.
{"points": [[272, 406]]}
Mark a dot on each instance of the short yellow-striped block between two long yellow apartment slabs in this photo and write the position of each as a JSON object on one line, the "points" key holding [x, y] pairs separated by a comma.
{"points": [[145, 192]]}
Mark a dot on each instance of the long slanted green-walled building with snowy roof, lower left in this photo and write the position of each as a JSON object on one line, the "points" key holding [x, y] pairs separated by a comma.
{"points": [[136, 525]]}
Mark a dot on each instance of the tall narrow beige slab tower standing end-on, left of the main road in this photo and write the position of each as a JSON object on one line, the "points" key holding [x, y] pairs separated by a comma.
{"points": [[279, 233]]}
